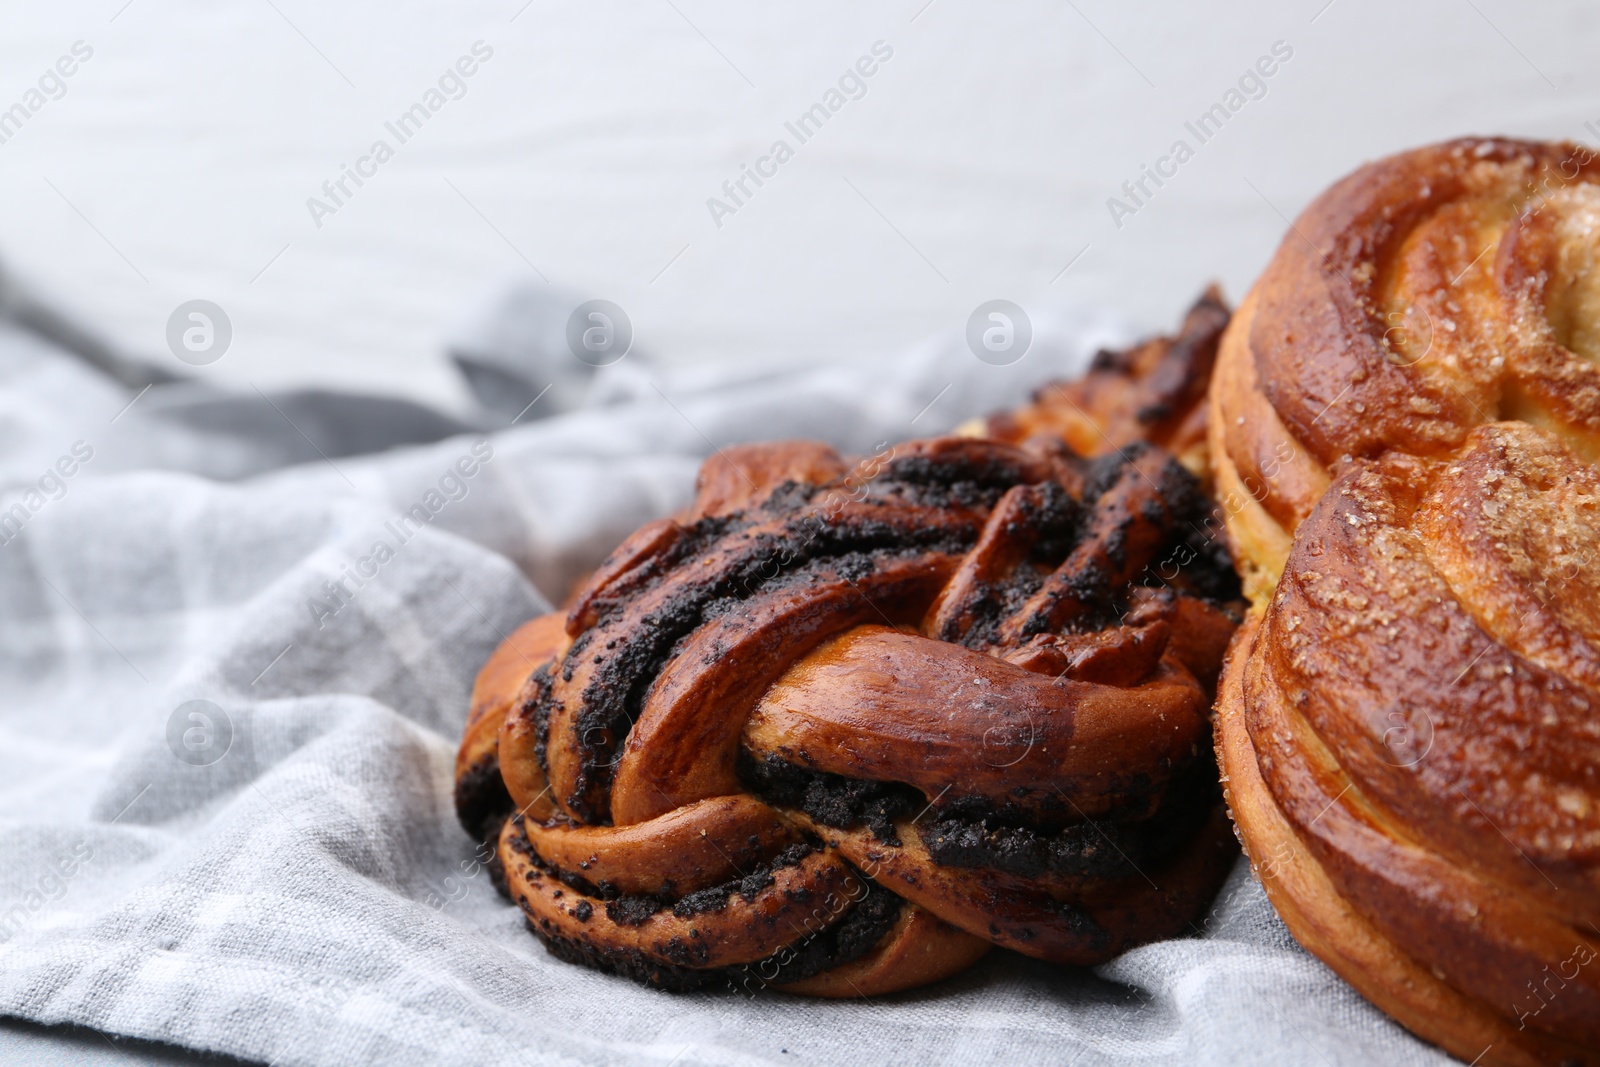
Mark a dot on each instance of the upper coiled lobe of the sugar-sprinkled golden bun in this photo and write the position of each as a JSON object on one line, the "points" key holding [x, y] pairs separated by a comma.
{"points": [[1418, 298]]}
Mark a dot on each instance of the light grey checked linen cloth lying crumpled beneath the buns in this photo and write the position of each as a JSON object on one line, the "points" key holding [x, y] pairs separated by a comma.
{"points": [[233, 692]]}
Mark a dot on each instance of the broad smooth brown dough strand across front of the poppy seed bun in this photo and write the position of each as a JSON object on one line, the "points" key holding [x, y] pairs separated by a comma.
{"points": [[922, 709]]}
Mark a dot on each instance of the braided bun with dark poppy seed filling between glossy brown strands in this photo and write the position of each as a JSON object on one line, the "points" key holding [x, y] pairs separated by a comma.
{"points": [[842, 727]]}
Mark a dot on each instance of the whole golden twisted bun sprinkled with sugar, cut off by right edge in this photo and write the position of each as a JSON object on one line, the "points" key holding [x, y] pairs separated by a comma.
{"points": [[1406, 422]]}
